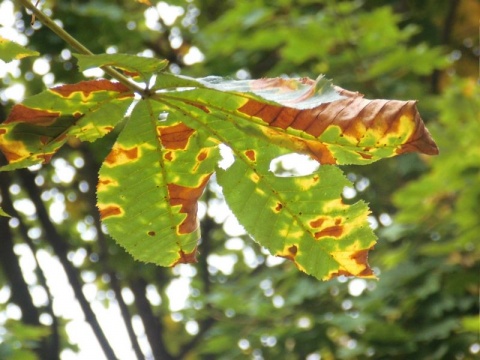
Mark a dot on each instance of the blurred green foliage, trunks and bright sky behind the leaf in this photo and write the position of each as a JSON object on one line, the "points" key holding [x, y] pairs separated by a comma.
{"points": [[238, 302]]}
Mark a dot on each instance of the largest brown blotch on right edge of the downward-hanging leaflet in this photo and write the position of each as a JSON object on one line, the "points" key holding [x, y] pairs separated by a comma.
{"points": [[187, 197]]}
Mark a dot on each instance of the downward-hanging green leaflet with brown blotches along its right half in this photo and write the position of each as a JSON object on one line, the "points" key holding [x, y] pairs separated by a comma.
{"points": [[149, 186]]}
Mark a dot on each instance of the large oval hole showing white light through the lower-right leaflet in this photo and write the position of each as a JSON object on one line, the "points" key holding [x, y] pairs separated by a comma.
{"points": [[293, 165]]}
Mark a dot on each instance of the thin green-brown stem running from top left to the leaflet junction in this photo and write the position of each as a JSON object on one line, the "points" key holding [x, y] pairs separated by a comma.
{"points": [[78, 46]]}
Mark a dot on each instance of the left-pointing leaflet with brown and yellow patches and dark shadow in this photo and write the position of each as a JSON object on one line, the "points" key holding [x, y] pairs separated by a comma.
{"points": [[36, 129]]}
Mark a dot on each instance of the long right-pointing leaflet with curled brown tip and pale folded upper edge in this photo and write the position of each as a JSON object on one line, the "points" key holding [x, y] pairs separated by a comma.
{"points": [[309, 118]]}
